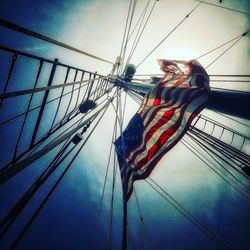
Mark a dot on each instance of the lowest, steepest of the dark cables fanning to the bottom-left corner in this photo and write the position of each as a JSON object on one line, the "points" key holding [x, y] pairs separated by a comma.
{"points": [[35, 214]]}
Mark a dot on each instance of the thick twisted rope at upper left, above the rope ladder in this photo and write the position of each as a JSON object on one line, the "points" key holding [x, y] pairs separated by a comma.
{"points": [[40, 36]]}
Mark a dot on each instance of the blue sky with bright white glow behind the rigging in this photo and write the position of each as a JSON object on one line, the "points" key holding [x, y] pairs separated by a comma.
{"points": [[67, 221]]}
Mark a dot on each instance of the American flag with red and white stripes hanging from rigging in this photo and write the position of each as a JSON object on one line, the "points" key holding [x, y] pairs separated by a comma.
{"points": [[163, 118]]}
